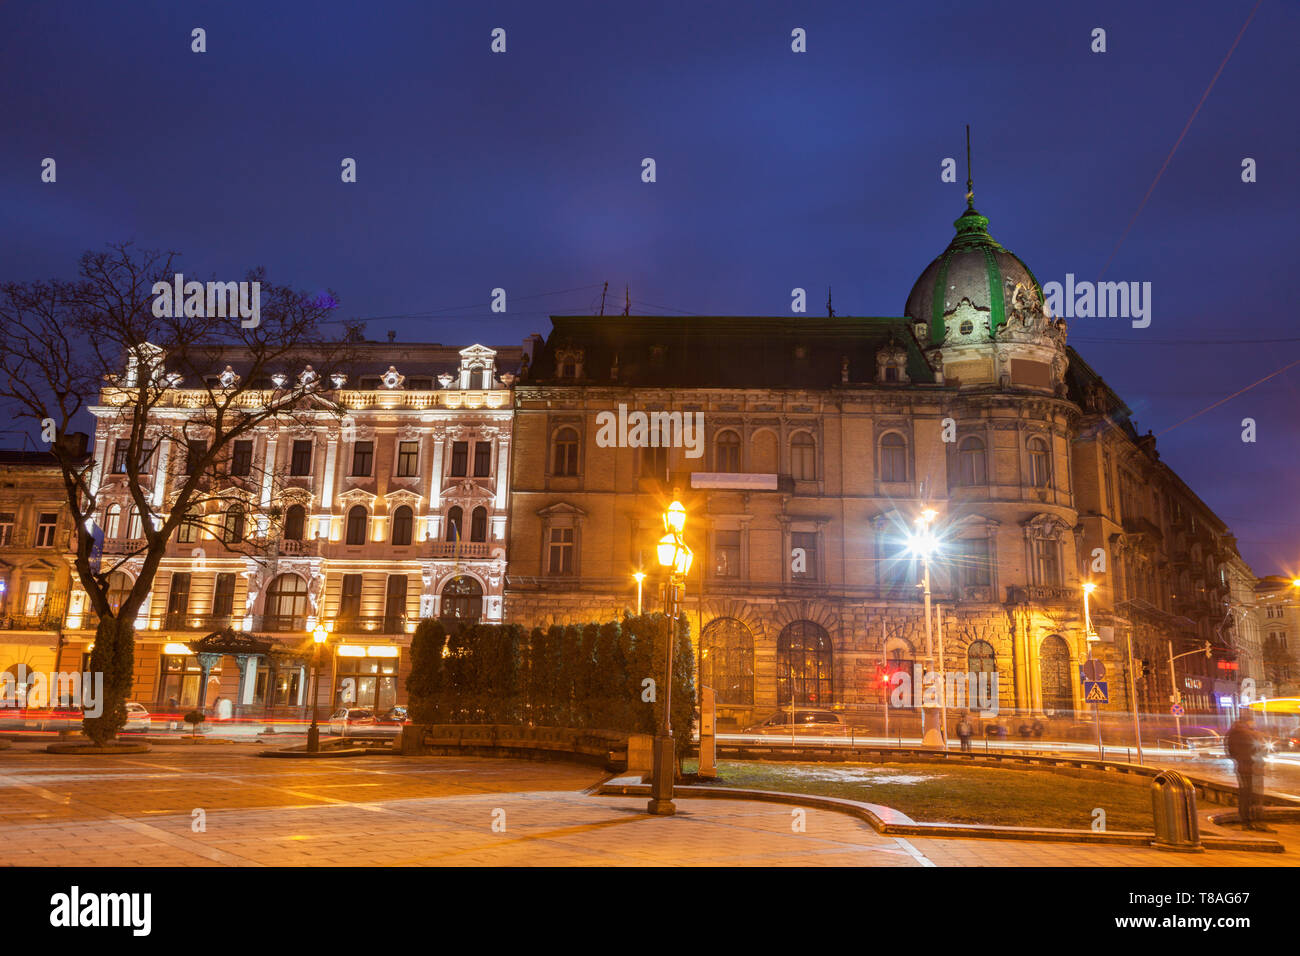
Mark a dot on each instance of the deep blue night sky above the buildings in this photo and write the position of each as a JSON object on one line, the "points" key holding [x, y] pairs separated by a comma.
{"points": [[775, 170]]}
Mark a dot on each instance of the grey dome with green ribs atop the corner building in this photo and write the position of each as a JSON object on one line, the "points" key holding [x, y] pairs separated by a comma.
{"points": [[974, 267]]}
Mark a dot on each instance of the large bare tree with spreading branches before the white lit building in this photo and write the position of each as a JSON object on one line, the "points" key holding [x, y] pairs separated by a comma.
{"points": [[164, 383]]}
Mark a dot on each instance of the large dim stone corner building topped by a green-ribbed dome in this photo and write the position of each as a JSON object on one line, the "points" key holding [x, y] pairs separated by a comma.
{"points": [[824, 442]]}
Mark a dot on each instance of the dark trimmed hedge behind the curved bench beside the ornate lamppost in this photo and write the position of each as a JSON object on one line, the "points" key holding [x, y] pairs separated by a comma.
{"points": [[574, 676]]}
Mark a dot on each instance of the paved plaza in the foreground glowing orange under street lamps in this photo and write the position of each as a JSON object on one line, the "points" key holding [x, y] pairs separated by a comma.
{"points": [[142, 810]]}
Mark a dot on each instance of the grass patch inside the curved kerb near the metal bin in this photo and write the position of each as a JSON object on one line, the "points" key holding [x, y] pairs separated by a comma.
{"points": [[934, 794]]}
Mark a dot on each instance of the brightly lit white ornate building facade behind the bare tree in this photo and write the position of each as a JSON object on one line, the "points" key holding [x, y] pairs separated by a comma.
{"points": [[383, 501]]}
